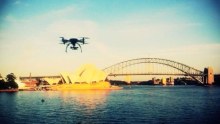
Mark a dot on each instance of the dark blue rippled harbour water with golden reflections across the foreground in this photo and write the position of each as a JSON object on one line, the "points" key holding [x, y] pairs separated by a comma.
{"points": [[138, 104]]}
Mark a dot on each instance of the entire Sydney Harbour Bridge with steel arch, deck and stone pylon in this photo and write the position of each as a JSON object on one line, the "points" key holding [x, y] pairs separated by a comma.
{"points": [[153, 66]]}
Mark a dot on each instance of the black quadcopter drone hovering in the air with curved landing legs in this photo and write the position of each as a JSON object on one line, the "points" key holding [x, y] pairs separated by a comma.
{"points": [[74, 42]]}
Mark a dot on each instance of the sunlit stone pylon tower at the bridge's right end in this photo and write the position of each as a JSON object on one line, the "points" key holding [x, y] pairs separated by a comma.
{"points": [[209, 76]]}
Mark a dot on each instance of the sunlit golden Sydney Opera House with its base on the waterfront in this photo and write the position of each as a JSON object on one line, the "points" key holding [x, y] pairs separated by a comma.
{"points": [[87, 76]]}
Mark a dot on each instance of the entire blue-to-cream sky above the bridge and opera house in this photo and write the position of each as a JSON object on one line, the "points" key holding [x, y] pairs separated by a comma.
{"points": [[186, 31]]}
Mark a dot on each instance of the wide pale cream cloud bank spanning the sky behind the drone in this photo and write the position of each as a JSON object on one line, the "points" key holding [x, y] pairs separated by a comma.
{"points": [[36, 40]]}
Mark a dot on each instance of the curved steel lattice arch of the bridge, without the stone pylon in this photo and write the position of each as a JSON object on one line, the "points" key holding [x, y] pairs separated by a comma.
{"points": [[185, 69]]}
